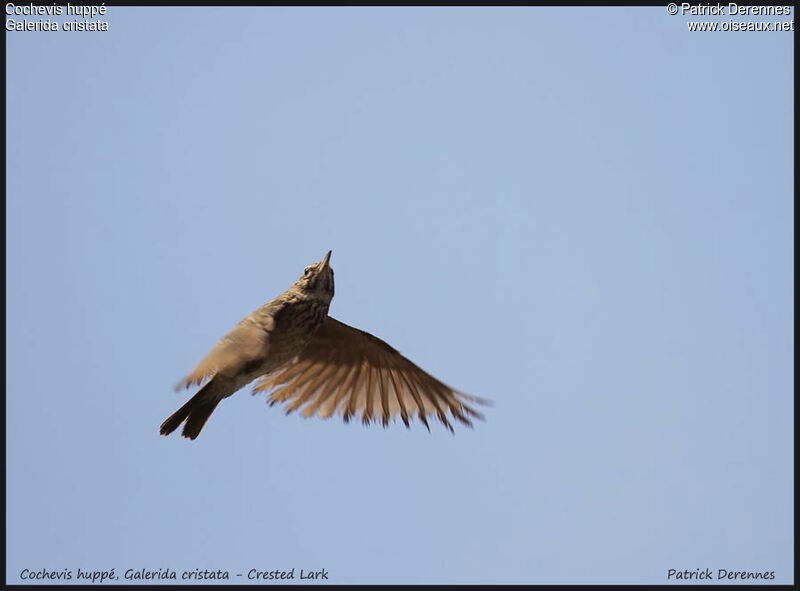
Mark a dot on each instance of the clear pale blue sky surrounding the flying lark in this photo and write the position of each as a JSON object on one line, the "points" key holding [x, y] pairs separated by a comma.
{"points": [[585, 215]]}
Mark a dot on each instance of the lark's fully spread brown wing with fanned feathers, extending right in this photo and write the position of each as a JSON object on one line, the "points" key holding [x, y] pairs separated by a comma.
{"points": [[351, 372]]}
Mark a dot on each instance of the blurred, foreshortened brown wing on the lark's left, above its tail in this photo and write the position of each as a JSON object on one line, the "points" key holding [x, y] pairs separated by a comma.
{"points": [[247, 343]]}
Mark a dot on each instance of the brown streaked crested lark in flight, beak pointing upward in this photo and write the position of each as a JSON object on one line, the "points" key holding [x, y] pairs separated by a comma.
{"points": [[307, 359]]}
